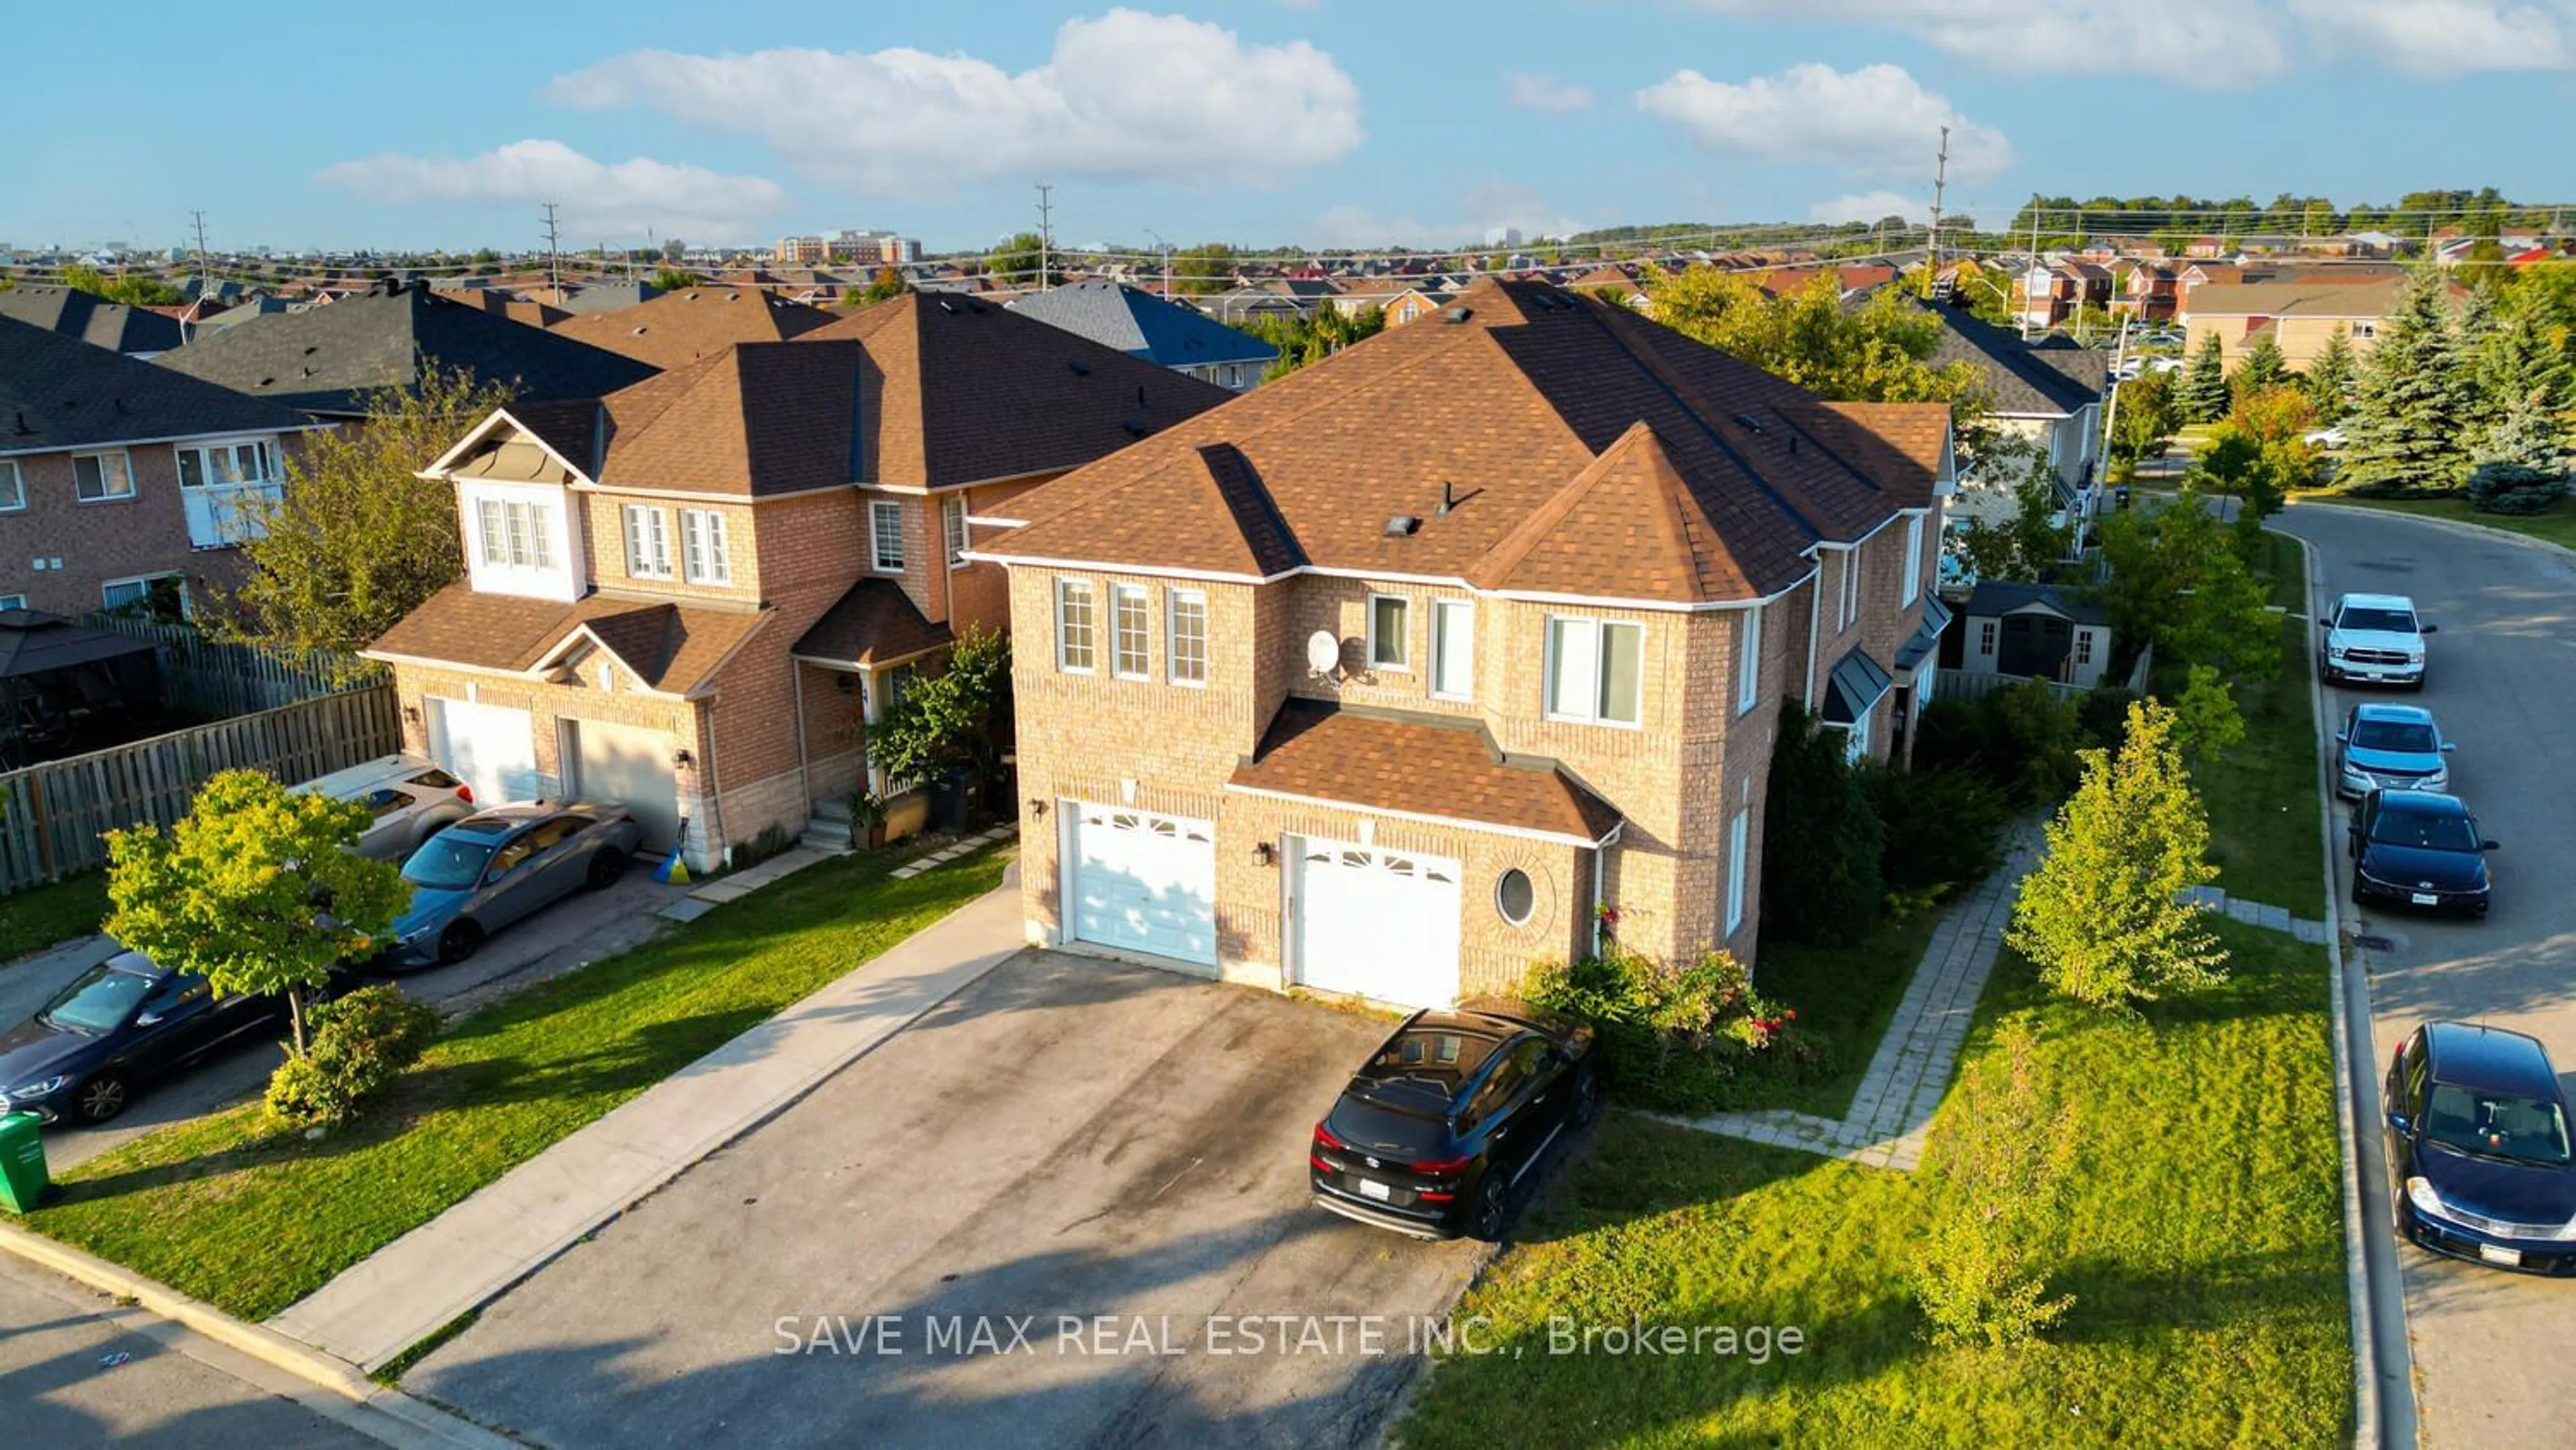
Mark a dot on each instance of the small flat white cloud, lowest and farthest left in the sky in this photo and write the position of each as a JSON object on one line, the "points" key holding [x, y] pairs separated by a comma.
{"points": [[599, 200]]}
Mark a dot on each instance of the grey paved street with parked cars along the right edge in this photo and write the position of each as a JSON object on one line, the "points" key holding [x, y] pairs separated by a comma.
{"points": [[2503, 681]]}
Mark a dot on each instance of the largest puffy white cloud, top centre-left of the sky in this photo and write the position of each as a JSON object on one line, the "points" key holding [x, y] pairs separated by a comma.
{"points": [[1124, 97]]}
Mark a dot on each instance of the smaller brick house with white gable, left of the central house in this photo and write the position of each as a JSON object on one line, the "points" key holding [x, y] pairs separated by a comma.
{"points": [[692, 596]]}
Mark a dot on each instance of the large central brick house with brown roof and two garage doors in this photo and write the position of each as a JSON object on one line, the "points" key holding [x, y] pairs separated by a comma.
{"points": [[1431, 661]]}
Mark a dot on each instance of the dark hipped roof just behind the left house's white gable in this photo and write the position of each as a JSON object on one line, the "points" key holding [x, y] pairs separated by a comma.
{"points": [[328, 359]]}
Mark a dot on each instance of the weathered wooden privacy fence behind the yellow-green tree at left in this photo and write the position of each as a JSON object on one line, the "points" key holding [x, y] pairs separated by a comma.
{"points": [[55, 813]]}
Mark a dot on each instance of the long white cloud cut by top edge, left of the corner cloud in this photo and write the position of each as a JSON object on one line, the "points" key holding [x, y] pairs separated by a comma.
{"points": [[2191, 42]]}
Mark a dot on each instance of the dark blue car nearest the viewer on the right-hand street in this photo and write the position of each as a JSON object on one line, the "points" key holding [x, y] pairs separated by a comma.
{"points": [[2479, 1150]]}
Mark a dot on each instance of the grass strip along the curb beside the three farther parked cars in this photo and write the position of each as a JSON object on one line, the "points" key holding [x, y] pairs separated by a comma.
{"points": [[2263, 797]]}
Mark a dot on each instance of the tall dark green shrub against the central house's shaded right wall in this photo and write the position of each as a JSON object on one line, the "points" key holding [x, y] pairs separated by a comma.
{"points": [[1820, 838]]}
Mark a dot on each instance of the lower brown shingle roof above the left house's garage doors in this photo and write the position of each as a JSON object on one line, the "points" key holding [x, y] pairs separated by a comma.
{"points": [[671, 648]]}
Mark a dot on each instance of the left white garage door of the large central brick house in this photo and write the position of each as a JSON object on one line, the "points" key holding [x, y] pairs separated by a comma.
{"points": [[1142, 882]]}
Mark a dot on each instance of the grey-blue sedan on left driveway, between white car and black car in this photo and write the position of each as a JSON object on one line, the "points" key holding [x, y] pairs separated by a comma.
{"points": [[498, 867]]}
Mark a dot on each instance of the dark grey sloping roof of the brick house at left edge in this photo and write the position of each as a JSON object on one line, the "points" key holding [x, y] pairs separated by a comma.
{"points": [[61, 393]]}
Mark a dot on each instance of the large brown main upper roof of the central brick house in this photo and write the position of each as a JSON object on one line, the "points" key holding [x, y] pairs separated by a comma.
{"points": [[1511, 411]]}
